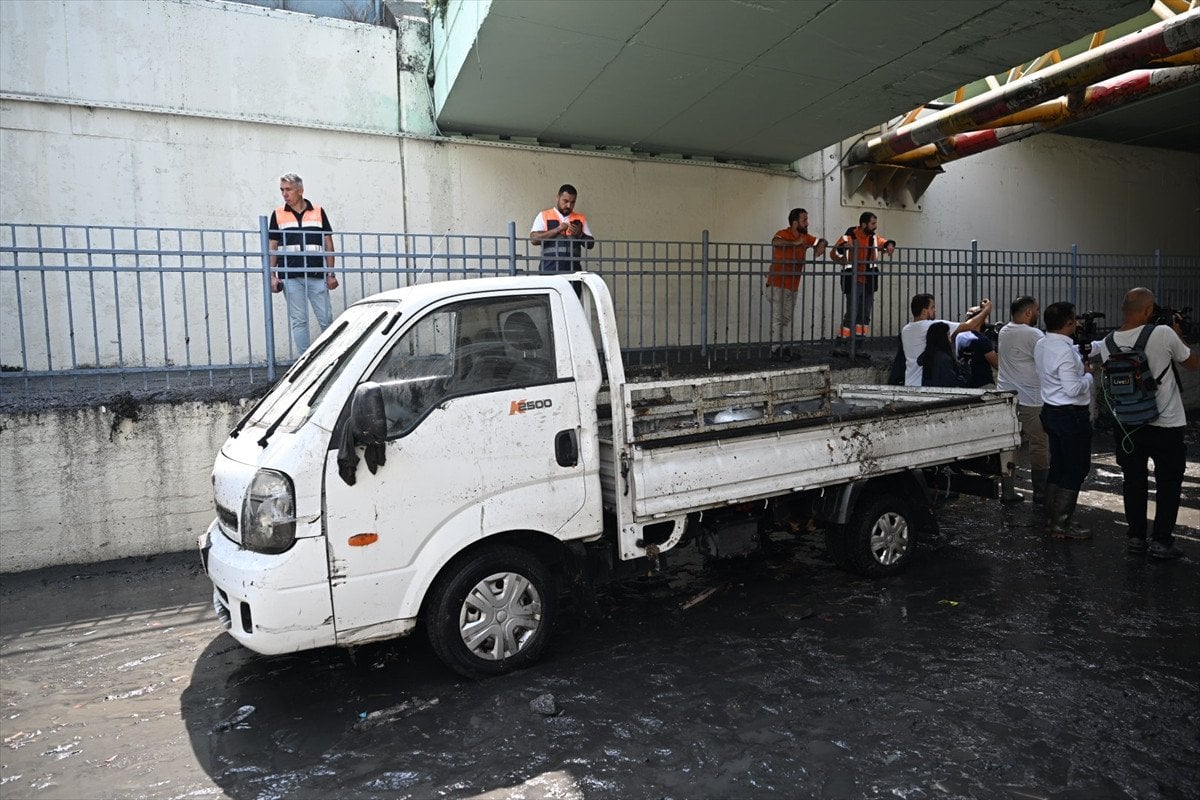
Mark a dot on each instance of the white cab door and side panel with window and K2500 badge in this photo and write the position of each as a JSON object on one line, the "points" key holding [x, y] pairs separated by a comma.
{"points": [[483, 414]]}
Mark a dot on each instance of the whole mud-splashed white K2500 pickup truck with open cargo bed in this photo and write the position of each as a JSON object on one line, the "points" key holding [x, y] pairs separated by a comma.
{"points": [[461, 454]]}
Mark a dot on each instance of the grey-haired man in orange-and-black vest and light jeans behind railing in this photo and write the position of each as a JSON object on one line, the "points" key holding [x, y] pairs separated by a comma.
{"points": [[302, 232]]}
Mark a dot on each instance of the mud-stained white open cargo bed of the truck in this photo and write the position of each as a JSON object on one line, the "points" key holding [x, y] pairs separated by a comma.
{"points": [[698, 444]]}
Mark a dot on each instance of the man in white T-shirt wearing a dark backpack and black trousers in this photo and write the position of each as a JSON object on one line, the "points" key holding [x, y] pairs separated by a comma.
{"points": [[1162, 440]]}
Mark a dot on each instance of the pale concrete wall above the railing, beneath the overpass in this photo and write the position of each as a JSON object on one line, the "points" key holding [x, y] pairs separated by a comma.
{"points": [[183, 113]]}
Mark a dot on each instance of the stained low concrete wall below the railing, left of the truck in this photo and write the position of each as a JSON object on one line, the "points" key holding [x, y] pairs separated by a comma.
{"points": [[76, 490]]}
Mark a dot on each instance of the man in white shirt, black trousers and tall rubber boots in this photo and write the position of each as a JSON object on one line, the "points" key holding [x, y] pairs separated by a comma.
{"points": [[1066, 382]]}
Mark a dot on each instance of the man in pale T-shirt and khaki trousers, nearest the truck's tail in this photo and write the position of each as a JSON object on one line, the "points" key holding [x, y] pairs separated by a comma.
{"points": [[1018, 374]]}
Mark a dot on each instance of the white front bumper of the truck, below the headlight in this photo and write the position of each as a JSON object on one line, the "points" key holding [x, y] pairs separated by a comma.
{"points": [[271, 604]]}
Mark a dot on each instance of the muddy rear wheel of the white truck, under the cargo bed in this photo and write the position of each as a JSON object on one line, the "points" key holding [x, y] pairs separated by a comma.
{"points": [[879, 539]]}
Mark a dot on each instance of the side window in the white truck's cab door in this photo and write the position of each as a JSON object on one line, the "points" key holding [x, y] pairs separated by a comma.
{"points": [[466, 348]]}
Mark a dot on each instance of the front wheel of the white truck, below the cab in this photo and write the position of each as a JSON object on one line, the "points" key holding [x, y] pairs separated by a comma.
{"points": [[494, 613]]}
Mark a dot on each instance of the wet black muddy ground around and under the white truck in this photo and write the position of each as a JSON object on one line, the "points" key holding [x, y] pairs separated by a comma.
{"points": [[1003, 666]]}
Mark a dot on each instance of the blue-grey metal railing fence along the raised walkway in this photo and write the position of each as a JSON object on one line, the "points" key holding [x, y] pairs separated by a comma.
{"points": [[92, 302]]}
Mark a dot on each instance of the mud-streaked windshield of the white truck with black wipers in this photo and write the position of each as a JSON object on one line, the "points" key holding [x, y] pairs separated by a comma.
{"points": [[291, 401]]}
